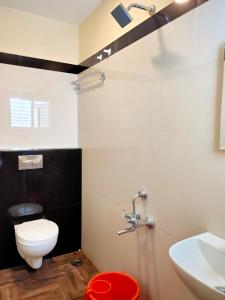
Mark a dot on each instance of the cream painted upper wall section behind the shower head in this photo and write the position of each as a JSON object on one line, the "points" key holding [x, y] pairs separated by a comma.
{"points": [[100, 29]]}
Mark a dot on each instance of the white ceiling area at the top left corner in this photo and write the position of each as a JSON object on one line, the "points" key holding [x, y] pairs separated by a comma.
{"points": [[70, 11]]}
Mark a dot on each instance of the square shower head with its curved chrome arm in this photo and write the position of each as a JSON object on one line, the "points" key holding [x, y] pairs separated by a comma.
{"points": [[122, 15]]}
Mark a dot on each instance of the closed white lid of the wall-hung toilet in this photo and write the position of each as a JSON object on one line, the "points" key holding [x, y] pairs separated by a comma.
{"points": [[35, 231]]}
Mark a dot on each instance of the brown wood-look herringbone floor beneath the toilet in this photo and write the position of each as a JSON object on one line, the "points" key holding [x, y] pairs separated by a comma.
{"points": [[57, 279]]}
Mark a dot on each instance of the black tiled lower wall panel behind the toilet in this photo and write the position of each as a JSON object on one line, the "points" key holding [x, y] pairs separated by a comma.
{"points": [[57, 187]]}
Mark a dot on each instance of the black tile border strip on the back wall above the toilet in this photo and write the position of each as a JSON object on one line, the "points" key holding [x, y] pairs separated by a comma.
{"points": [[30, 62]]}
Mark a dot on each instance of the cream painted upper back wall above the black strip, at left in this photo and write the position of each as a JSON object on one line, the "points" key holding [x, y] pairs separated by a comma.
{"points": [[30, 35]]}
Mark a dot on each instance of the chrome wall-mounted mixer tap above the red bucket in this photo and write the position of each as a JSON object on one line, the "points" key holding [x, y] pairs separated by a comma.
{"points": [[134, 217]]}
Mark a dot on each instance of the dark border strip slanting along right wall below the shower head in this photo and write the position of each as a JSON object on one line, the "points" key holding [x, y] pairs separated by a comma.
{"points": [[163, 17]]}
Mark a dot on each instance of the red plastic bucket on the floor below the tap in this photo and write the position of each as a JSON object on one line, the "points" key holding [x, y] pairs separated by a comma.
{"points": [[112, 286]]}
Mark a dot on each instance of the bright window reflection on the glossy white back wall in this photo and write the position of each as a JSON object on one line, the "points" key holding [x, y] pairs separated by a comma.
{"points": [[28, 113]]}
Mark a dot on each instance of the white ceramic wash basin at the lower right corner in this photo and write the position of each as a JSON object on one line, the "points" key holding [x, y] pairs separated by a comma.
{"points": [[200, 261]]}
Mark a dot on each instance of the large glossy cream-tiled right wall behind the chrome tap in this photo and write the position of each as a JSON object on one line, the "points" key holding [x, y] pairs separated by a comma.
{"points": [[154, 124]]}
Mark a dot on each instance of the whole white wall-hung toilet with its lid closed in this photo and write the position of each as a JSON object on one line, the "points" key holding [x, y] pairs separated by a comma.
{"points": [[35, 239]]}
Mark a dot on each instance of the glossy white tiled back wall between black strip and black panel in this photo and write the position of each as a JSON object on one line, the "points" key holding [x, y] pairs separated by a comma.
{"points": [[38, 85]]}
